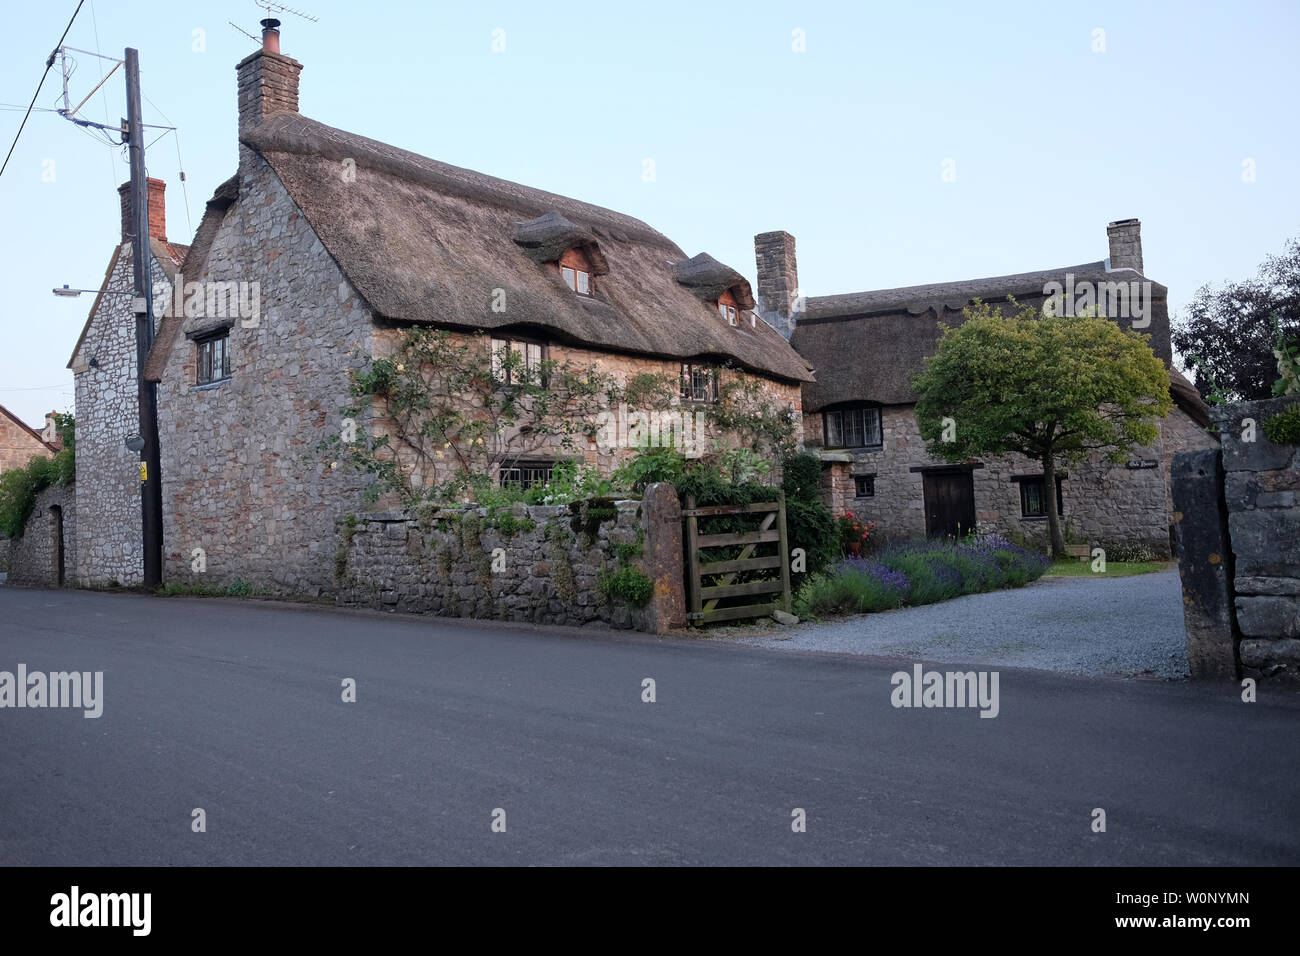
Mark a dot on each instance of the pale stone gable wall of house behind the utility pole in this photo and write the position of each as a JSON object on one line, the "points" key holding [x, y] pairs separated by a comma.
{"points": [[110, 548]]}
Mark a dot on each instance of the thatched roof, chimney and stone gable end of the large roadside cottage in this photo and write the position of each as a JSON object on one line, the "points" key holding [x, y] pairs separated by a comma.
{"points": [[332, 245]]}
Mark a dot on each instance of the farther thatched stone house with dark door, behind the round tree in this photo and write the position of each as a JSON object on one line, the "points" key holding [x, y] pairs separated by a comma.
{"points": [[859, 414]]}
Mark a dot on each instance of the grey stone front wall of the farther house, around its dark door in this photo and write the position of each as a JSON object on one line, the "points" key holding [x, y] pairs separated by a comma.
{"points": [[1104, 505]]}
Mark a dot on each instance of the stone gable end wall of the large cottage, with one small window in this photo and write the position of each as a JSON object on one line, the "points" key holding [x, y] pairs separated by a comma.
{"points": [[242, 478]]}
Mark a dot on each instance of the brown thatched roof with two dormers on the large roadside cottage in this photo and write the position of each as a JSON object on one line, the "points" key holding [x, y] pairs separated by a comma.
{"points": [[427, 243]]}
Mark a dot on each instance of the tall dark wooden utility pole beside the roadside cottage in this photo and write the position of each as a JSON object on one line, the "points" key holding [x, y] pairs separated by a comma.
{"points": [[151, 477]]}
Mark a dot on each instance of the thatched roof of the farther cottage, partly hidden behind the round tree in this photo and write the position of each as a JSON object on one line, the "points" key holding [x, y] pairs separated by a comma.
{"points": [[870, 347]]}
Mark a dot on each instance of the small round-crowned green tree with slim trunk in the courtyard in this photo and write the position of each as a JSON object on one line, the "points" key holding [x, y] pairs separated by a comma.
{"points": [[1054, 390]]}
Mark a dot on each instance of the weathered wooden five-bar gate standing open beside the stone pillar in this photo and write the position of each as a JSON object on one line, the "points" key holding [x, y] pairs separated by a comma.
{"points": [[713, 590]]}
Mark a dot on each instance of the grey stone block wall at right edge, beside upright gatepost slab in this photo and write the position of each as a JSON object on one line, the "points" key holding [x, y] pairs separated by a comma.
{"points": [[1262, 486]]}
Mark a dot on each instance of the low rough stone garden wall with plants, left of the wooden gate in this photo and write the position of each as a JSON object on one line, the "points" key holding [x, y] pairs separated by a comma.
{"points": [[540, 565]]}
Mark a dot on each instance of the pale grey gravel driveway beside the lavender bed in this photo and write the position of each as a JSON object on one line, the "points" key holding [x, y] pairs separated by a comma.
{"points": [[1100, 628]]}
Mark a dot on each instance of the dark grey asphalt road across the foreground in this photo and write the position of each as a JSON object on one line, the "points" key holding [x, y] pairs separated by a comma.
{"points": [[236, 708]]}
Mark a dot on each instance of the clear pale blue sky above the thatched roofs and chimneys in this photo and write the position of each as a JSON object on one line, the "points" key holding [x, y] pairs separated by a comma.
{"points": [[842, 145]]}
